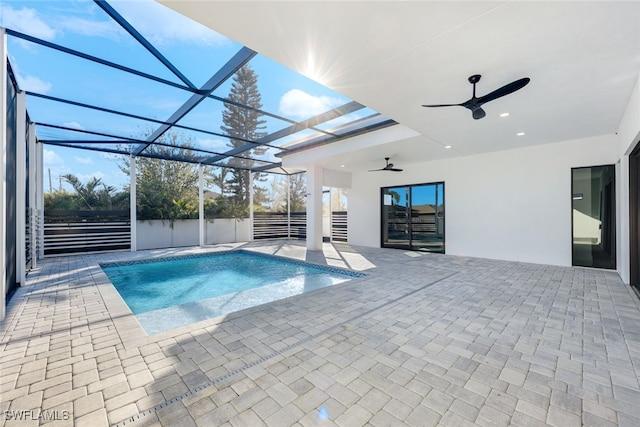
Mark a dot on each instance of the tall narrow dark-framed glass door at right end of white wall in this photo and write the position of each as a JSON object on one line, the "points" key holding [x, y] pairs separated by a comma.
{"points": [[593, 217]]}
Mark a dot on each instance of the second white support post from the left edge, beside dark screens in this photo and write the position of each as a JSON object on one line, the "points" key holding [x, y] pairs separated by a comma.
{"points": [[21, 187]]}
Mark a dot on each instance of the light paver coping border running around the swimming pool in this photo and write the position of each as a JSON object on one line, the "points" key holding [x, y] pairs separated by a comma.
{"points": [[133, 334]]}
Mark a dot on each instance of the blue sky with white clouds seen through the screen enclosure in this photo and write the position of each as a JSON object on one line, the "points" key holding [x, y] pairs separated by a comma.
{"points": [[195, 50]]}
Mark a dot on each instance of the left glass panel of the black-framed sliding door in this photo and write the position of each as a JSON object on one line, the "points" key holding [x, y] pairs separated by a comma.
{"points": [[395, 227]]}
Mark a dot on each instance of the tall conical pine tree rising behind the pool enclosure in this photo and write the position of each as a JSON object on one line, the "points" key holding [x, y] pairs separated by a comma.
{"points": [[242, 125]]}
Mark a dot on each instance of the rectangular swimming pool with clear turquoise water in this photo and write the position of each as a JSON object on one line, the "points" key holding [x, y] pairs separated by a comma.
{"points": [[165, 293]]}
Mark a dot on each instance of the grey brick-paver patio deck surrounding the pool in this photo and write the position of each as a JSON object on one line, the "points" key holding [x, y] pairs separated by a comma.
{"points": [[424, 339]]}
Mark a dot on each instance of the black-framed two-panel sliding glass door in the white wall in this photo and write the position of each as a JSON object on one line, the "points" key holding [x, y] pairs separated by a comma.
{"points": [[413, 217]]}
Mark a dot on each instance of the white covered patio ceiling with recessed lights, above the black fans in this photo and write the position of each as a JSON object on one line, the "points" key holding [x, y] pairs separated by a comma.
{"points": [[583, 58]]}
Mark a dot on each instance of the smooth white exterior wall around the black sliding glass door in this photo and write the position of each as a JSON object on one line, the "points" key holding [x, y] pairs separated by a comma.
{"points": [[511, 205]]}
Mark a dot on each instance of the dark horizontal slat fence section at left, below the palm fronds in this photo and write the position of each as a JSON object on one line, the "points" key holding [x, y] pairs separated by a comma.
{"points": [[67, 232]]}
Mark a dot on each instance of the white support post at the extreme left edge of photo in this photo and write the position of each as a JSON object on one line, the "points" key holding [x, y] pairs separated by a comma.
{"points": [[3, 177]]}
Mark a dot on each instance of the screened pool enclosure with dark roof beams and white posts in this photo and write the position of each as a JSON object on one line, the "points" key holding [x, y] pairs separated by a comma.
{"points": [[194, 126]]}
